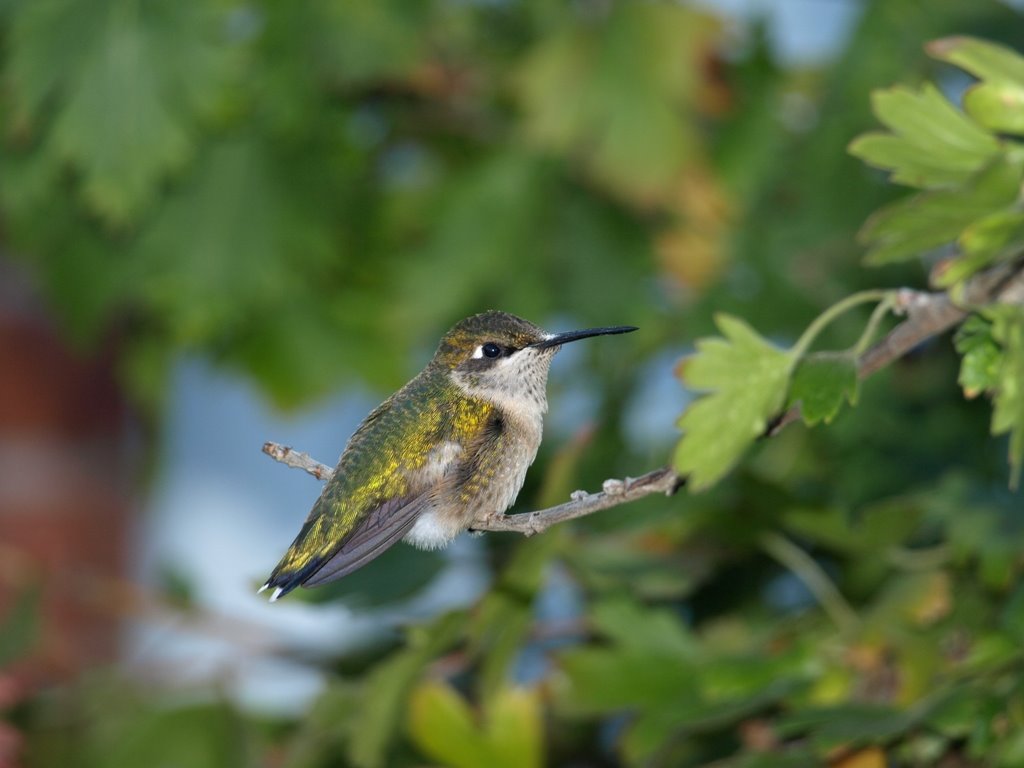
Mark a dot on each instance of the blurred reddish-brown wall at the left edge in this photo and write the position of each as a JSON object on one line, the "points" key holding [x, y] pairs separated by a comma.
{"points": [[66, 488]]}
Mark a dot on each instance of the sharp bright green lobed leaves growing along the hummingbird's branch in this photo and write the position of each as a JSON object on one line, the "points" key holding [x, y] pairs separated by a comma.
{"points": [[969, 167]]}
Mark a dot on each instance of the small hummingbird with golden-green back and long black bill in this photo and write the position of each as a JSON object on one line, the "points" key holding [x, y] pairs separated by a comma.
{"points": [[450, 448]]}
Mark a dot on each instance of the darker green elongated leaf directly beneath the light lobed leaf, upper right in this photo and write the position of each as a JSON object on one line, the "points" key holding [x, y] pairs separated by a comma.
{"points": [[910, 228]]}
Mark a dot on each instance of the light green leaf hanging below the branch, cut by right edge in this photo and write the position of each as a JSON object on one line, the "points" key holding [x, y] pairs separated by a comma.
{"points": [[1008, 412]]}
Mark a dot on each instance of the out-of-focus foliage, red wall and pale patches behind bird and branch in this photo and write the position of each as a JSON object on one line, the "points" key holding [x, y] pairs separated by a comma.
{"points": [[224, 224]]}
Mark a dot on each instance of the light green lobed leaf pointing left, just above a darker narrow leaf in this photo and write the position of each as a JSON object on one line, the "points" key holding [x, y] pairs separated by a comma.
{"points": [[931, 144]]}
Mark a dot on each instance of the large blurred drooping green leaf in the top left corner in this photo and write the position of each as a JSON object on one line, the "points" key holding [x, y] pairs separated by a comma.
{"points": [[130, 82]]}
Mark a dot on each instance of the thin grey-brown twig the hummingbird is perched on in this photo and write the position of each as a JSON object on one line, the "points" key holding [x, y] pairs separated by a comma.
{"points": [[927, 315]]}
